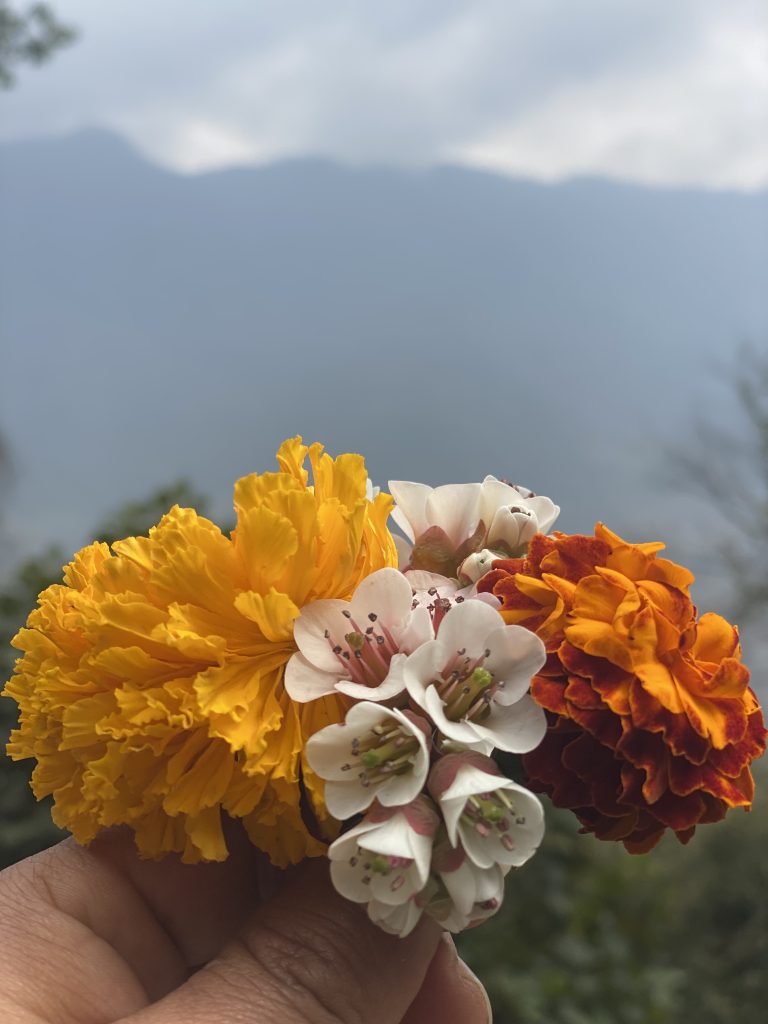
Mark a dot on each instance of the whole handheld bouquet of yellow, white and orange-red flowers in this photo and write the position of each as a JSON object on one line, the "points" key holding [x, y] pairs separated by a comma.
{"points": [[351, 694]]}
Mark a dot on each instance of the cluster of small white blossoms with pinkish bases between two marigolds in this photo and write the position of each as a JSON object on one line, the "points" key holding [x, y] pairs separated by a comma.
{"points": [[437, 682]]}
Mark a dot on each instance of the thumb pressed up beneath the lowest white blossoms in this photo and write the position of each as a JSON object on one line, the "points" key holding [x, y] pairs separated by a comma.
{"points": [[309, 957]]}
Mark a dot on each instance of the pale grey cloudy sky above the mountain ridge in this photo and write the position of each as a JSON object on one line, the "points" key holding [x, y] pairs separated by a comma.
{"points": [[645, 91]]}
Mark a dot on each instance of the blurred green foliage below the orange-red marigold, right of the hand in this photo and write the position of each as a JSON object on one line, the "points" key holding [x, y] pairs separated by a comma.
{"points": [[591, 935]]}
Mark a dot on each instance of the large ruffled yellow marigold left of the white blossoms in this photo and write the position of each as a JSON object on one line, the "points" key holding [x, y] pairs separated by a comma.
{"points": [[151, 682]]}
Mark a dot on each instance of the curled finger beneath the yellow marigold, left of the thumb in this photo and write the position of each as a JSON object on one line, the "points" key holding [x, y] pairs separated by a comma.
{"points": [[92, 935]]}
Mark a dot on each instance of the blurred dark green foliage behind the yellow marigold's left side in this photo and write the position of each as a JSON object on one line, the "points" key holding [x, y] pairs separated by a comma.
{"points": [[26, 826]]}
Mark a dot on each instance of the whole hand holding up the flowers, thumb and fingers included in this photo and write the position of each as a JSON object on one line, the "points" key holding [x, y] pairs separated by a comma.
{"points": [[91, 936]]}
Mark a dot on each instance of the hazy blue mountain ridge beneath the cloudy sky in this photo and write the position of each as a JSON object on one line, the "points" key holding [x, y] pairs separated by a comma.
{"points": [[445, 322]]}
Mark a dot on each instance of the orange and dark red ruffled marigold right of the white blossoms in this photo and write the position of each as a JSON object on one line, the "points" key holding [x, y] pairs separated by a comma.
{"points": [[653, 724]]}
